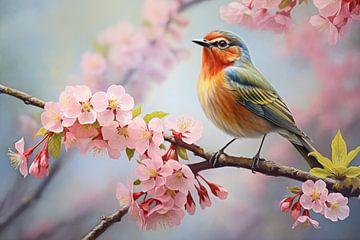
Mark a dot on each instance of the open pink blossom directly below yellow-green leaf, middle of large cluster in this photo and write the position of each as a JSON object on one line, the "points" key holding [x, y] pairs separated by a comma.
{"points": [[146, 137]]}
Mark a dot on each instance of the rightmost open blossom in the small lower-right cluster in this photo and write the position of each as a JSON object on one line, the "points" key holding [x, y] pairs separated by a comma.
{"points": [[336, 207]]}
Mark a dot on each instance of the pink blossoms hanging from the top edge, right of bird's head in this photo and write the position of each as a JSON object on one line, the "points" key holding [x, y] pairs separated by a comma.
{"points": [[275, 15]]}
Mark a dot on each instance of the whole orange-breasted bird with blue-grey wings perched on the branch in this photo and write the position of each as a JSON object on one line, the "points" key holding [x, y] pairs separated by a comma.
{"points": [[239, 100]]}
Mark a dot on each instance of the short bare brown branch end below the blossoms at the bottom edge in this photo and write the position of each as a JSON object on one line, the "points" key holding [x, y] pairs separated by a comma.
{"points": [[105, 223]]}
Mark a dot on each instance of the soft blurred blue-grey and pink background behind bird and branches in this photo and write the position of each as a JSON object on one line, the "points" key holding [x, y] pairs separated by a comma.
{"points": [[41, 49]]}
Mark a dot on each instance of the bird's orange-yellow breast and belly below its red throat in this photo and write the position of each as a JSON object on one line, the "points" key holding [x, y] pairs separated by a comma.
{"points": [[221, 107]]}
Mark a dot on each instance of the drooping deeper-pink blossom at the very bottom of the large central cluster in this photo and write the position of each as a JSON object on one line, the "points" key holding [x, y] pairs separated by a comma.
{"points": [[161, 216]]}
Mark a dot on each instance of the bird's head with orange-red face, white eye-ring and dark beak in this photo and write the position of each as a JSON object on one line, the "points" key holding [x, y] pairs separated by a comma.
{"points": [[222, 49]]}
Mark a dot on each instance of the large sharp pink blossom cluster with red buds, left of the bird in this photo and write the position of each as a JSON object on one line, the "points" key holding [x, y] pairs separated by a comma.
{"points": [[108, 122]]}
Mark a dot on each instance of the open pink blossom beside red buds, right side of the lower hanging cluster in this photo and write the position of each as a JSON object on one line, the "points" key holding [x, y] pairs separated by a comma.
{"points": [[181, 179]]}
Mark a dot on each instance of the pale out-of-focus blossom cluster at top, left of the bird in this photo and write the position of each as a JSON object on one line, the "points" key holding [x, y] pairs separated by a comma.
{"points": [[137, 56]]}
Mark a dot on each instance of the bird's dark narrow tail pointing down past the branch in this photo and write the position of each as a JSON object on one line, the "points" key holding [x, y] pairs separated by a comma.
{"points": [[304, 148]]}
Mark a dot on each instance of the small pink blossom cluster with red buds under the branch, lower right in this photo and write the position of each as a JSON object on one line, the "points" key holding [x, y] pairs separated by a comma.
{"points": [[315, 197]]}
